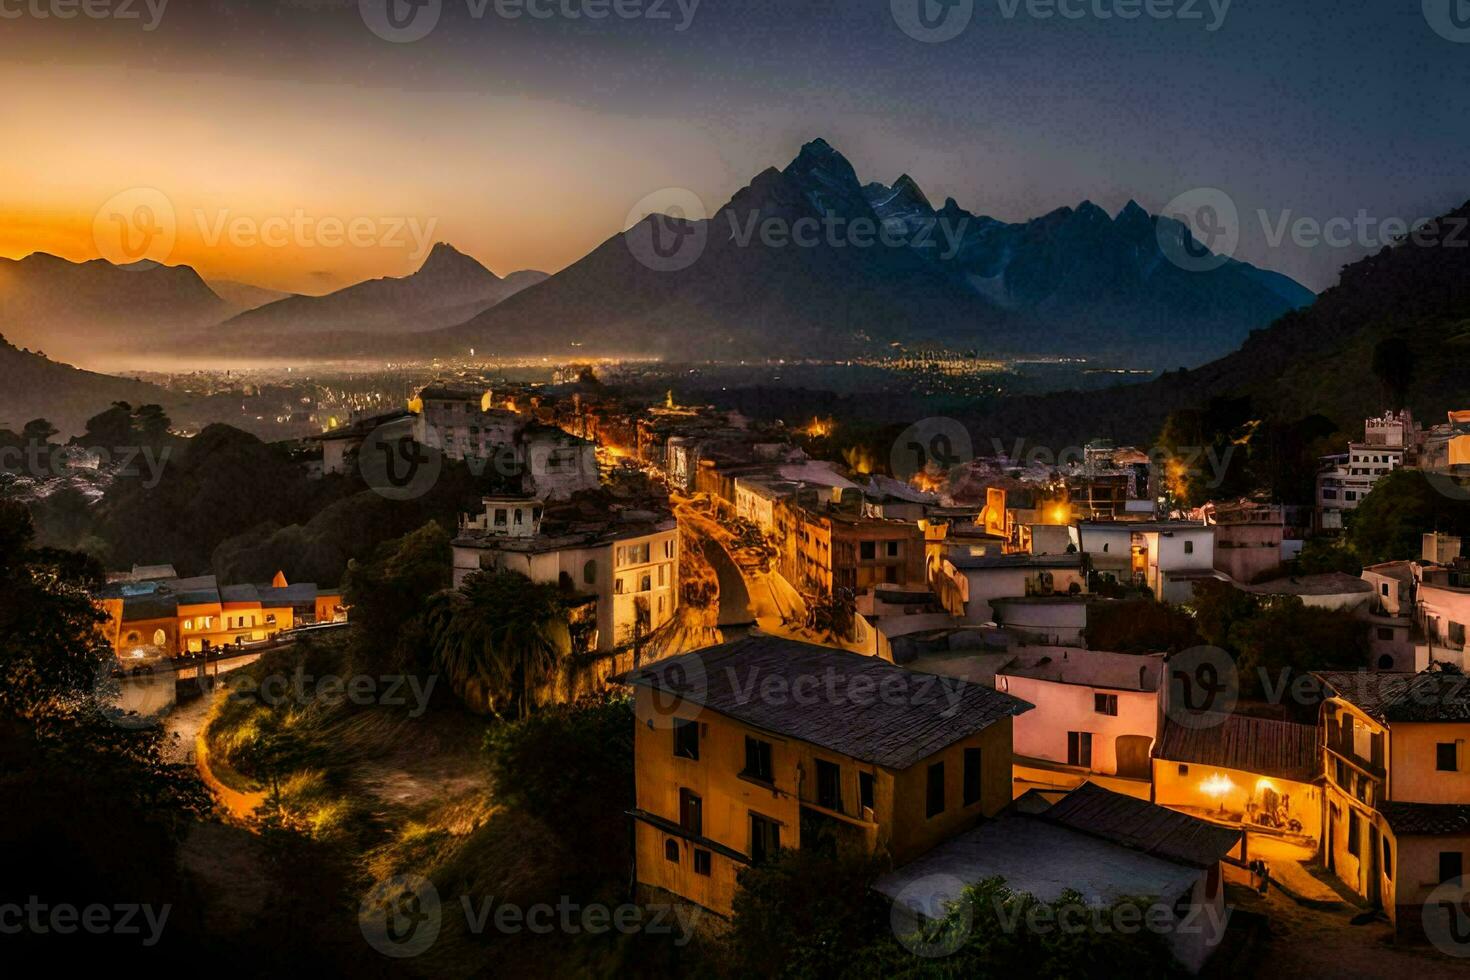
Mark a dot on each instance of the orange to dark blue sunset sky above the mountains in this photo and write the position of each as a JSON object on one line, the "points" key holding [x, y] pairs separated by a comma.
{"points": [[293, 146]]}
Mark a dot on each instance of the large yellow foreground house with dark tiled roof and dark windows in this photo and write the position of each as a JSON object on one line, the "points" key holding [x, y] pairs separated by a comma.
{"points": [[767, 743]]}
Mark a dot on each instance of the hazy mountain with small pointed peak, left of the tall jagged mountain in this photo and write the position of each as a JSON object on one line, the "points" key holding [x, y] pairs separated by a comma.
{"points": [[449, 289]]}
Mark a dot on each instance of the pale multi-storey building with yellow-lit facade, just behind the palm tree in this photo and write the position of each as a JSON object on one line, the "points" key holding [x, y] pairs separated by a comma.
{"points": [[624, 561]]}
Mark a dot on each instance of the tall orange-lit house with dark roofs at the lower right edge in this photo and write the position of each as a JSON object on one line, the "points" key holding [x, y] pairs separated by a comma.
{"points": [[1397, 810]]}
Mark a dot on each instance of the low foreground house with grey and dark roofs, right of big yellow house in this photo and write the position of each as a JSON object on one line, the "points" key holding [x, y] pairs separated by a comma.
{"points": [[1091, 843]]}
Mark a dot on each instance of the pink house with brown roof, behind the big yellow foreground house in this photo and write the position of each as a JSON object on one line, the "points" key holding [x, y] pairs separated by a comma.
{"points": [[1097, 716]]}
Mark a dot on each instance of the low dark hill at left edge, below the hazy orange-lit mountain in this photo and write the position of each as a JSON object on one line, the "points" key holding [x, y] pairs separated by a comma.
{"points": [[35, 387]]}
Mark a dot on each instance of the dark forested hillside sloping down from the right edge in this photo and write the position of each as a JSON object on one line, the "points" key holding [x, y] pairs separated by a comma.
{"points": [[1312, 362]]}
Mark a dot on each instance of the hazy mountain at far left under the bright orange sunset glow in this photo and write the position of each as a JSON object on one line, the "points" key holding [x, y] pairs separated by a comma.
{"points": [[80, 311]]}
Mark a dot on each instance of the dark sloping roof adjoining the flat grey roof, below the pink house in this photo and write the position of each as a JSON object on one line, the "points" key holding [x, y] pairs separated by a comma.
{"points": [[1143, 826]]}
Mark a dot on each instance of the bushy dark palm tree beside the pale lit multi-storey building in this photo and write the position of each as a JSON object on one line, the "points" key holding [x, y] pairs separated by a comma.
{"points": [[499, 638]]}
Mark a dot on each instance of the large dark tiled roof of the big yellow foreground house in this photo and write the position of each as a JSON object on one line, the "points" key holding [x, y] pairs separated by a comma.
{"points": [[856, 706]]}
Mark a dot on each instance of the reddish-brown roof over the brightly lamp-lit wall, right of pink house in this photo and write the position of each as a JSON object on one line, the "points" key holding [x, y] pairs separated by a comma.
{"points": [[1265, 747]]}
